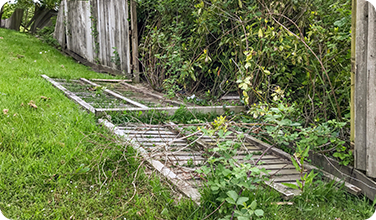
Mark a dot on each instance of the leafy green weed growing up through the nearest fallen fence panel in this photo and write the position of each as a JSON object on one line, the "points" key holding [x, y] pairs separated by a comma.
{"points": [[228, 178]]}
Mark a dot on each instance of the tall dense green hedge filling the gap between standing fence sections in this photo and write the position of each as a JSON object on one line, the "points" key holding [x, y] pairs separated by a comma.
{"points": [[257, 45]]}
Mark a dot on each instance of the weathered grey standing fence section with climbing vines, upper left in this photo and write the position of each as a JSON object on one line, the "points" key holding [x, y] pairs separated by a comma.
{"points": [[96, 30]]}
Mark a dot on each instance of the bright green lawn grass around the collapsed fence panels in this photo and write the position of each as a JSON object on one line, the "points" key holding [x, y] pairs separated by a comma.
{"points": [[56, 163]]}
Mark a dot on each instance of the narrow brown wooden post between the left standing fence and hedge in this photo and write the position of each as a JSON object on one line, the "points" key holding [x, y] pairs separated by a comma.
{"points": [[135, 64]]}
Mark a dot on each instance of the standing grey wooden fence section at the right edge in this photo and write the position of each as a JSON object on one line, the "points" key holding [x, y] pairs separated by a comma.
{"points": [[365, 87]]}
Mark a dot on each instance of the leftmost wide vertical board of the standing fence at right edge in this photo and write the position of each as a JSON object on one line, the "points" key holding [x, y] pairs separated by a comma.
{"points": [[361, 85]]}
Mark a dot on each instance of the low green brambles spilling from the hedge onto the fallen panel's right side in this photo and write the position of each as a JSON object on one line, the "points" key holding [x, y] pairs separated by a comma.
{"points": [[286, 131]]}
